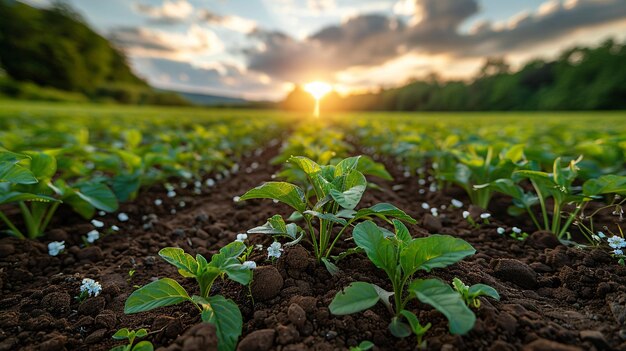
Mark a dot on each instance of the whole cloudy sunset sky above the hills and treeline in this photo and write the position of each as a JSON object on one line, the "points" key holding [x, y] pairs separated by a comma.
{"points": [[258, 48]]}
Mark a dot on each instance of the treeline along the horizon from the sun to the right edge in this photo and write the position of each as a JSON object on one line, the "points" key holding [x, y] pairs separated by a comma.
{"points": [[579, 79]]}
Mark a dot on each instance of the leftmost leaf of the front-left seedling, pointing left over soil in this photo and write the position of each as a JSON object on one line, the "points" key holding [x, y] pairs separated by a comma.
{"points": [[160, 293]]}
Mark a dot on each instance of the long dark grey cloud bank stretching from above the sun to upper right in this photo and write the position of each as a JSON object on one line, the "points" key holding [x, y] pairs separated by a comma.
{"points": [[369, 40]]}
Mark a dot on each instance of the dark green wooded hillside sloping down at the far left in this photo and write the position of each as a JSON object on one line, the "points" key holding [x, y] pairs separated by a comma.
{"points": [[51, 54]]}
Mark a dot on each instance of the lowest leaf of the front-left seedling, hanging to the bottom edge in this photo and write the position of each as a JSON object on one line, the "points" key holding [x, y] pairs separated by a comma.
{"points": [[226, 317]]}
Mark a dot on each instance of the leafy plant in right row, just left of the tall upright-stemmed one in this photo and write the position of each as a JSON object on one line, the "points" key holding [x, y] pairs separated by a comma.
{"points": [[476, 168]]}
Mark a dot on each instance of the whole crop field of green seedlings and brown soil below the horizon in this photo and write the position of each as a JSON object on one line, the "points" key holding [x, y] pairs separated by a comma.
{"points": [[136, 228]]}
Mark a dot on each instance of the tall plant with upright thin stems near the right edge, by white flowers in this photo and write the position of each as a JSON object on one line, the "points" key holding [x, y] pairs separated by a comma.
{"points": [[556, 185]]}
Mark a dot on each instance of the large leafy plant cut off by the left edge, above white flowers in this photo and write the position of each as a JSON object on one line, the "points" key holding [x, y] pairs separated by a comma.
{"points": [[26, 180]]}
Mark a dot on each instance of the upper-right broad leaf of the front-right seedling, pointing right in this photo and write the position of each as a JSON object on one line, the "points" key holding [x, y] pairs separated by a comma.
{"points": [[435, 251]]}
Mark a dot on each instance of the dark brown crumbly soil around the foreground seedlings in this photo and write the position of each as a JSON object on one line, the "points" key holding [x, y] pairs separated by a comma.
{"points": [[553, 297]]}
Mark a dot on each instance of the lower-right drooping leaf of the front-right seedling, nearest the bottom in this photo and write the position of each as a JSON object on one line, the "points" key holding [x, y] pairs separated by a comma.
{"points": [[445, 300]]}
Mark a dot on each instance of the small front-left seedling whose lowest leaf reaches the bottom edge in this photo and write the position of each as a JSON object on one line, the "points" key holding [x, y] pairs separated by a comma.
{"points": [[215, 309]]}
